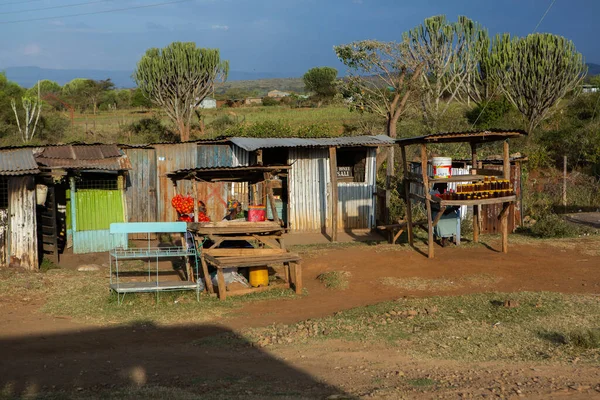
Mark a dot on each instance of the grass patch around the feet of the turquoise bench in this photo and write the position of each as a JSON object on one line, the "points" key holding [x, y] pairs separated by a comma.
{"points": [[85, 297]]}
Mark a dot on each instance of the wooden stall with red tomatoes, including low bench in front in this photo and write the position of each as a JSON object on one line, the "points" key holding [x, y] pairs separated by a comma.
{"points": [[239, 238]]}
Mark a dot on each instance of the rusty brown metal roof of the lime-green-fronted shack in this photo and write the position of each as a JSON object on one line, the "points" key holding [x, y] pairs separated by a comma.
{"points": [[107, 157]]}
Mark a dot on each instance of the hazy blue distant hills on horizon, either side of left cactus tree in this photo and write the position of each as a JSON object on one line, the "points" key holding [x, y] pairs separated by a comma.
{"points": [[28, 76]]}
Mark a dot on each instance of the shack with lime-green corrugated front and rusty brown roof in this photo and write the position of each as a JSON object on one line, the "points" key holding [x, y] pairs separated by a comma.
{"points": [[88, 185]]}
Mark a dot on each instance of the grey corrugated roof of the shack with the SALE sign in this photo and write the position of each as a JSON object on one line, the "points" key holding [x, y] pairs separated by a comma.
{"points": [[251, 144]]}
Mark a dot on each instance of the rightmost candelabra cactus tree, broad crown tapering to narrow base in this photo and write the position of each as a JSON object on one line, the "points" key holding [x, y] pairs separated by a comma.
{"points": [[536, 72]]}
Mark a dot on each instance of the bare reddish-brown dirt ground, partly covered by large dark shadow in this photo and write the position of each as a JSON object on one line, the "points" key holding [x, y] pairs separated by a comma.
{"points": [[49, 353]]}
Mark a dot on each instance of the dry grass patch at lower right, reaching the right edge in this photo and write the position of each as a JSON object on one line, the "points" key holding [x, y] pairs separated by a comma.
{"points": [[476, 327]]}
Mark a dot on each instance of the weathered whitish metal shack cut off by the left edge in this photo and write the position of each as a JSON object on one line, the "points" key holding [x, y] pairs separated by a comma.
{"points": [[18, 241]]}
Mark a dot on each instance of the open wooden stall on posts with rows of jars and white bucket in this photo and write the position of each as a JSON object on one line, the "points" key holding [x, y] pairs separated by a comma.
{"points": [[480, 187]]}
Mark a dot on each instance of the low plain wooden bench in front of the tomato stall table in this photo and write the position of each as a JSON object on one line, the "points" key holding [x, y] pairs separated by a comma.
{"points": [[228, 258]]}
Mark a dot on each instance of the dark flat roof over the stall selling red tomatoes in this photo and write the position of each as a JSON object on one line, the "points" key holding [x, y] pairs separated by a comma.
{"points": [[229, 174]]}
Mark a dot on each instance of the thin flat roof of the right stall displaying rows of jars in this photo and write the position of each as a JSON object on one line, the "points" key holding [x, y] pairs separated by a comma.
{"points": [[491, 135]]}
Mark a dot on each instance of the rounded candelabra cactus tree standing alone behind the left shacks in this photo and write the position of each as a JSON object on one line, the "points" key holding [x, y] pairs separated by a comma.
{"points": [[178, 77]]}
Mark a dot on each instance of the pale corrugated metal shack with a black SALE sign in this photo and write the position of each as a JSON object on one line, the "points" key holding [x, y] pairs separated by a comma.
{"points": [[307, 189]]}
